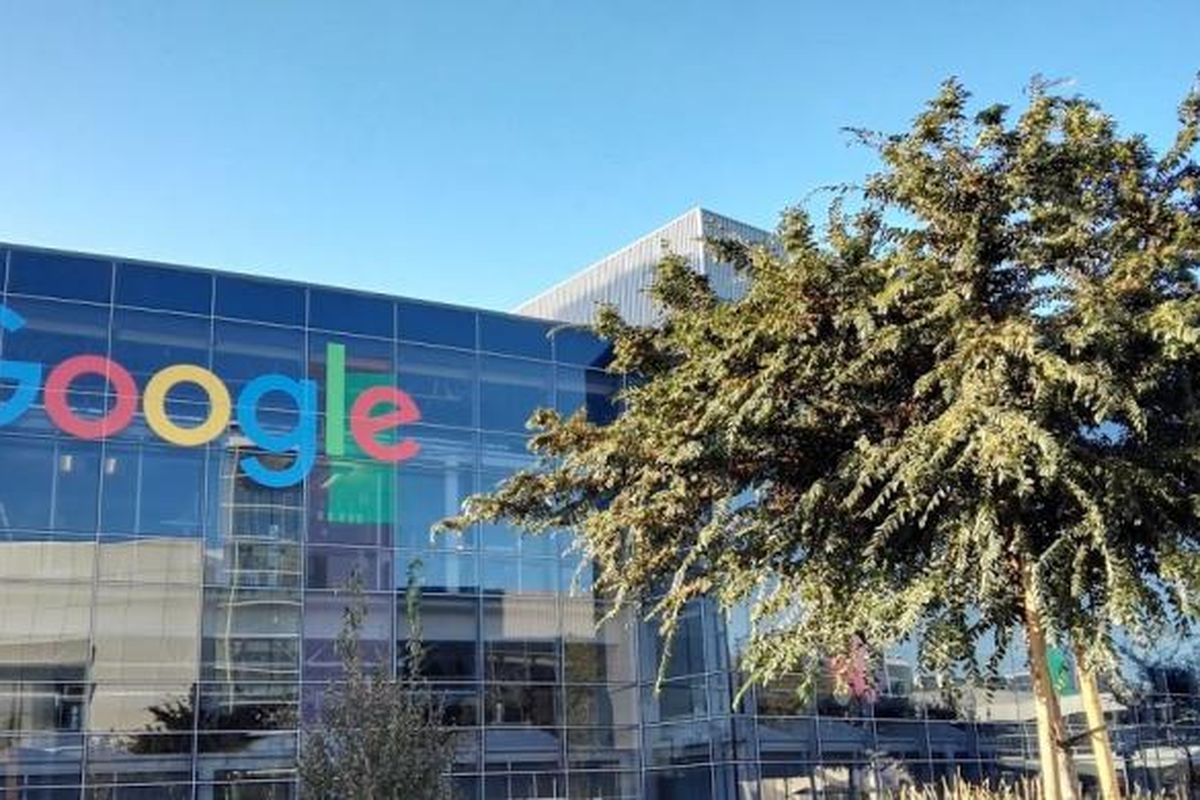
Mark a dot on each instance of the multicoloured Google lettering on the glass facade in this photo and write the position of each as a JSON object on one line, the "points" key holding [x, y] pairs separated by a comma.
{"points": [[376, 412]]}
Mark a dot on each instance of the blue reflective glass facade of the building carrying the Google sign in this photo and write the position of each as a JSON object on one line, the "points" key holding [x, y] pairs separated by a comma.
{"points": [[167, 622]]}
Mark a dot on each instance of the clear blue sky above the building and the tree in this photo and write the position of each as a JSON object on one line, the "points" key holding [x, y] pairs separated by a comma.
{"points": [[478, 153]]}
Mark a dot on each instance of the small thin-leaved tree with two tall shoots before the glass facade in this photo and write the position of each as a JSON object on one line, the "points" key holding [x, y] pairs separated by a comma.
{"points": [[380, 737]]}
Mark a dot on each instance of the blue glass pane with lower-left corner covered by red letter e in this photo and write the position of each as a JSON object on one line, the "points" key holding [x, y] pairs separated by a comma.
{"points": [[443, 383]]}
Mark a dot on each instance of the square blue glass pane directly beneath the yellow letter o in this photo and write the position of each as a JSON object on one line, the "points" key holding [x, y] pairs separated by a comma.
{"points": [[154, 491]]}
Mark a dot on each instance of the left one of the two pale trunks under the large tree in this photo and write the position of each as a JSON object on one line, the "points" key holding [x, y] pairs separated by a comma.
{"points": [[1058, 784]]}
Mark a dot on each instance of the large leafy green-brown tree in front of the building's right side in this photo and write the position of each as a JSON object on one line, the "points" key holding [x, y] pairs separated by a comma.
{"points": [[965, 411]]}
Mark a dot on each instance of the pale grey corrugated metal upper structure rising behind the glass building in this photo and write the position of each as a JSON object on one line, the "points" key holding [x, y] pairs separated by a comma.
{"points": [[625, 278]]}
